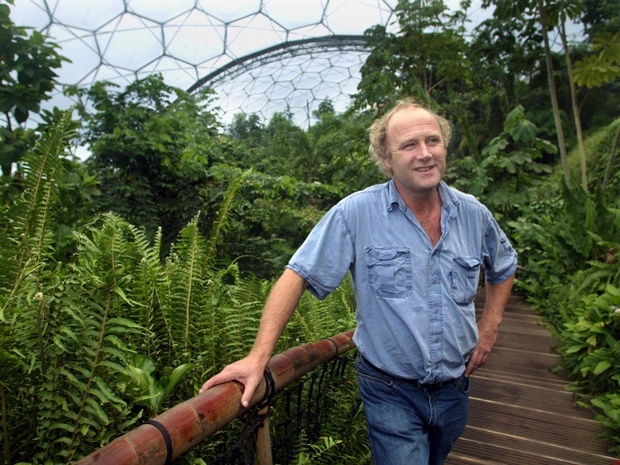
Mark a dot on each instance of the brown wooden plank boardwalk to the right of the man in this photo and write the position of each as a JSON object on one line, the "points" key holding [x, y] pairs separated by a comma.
{"points": [[520, 411]]}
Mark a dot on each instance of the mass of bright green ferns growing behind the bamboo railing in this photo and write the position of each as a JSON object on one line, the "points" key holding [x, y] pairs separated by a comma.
{"points": [[115, 334]]}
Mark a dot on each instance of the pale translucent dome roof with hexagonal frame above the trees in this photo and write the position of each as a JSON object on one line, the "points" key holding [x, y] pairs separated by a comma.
{"points": [[260, 56]]}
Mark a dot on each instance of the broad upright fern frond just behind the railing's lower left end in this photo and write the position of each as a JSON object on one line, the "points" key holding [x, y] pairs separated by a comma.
{"points": [[105, 327]]}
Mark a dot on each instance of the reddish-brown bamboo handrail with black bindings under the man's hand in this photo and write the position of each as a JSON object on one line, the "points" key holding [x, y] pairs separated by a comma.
{"points": [[185, 425]]}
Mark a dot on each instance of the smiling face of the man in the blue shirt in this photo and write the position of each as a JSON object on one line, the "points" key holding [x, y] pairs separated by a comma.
{"points": [[418, 154]]}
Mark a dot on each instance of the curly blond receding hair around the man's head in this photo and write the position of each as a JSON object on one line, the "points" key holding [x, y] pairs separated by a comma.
{"points": [[378, 132]]}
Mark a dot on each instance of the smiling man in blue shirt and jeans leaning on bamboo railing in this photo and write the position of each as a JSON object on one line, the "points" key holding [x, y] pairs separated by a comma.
{"points": [[415, 248]]}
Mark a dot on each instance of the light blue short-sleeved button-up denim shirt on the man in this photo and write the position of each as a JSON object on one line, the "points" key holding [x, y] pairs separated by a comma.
{"points": [[415, 311]]}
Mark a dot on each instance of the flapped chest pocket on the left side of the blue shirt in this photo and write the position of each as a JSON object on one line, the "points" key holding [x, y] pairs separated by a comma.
{"points": [[389, 271]]}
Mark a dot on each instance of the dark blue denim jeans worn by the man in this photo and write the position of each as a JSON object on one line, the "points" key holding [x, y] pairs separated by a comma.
{"points": [[411, 424]]}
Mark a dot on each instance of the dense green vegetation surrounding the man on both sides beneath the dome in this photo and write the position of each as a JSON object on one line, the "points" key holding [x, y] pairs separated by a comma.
{"points": [[129, 278]]}
